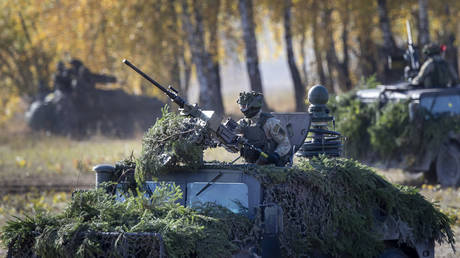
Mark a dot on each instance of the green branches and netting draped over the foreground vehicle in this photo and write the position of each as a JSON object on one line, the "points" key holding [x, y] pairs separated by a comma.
{"points": [[329, 204]]}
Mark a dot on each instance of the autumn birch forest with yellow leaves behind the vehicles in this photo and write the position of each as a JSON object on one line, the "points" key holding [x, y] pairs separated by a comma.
{"points": [[190, 42]]}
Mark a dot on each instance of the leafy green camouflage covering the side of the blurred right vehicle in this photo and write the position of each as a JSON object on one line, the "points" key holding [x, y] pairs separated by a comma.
{"points": [[387, 133]]}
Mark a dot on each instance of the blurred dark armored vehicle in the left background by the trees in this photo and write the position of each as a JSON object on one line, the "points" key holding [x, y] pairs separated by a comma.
{"points": [[76, 107]]}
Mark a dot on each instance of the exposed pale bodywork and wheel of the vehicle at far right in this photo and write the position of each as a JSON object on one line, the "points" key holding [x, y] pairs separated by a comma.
{"points": [[443, 163]]}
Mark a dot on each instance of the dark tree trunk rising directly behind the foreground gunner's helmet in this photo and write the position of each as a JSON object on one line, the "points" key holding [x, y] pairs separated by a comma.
{"points": [[252, 58]]}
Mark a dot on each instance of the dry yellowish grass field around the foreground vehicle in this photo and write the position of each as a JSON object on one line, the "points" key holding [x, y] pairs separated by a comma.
{"points": [[41, 159]]}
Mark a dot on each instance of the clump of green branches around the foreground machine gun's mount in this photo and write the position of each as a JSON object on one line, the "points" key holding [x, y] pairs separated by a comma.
{"points": [[173, 140]]}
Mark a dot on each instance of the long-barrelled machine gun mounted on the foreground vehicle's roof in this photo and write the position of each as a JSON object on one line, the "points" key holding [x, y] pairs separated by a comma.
{"points": [[223, 133]]}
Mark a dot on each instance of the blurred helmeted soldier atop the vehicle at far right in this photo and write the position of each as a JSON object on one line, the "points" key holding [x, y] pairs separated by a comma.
{"points": [[435, 72]]}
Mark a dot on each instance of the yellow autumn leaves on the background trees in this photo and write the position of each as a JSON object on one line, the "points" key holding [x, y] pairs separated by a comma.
{"points": [[36, 34]]}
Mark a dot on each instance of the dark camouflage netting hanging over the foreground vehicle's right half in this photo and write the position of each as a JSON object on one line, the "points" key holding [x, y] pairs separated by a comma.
{"points": [[330, 204]]}
